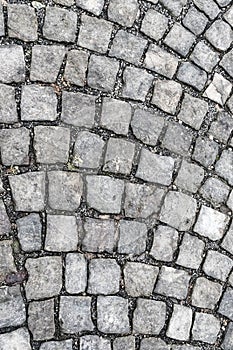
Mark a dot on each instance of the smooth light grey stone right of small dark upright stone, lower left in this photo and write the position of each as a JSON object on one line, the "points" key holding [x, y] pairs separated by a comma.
{"points": [[61, 233]]}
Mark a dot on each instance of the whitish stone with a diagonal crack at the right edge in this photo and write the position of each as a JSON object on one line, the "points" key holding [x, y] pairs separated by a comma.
{"points": [[219, 89]]}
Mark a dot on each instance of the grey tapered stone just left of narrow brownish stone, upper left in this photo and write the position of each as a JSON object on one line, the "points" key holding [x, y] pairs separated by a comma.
{"points": [[46, 62]]}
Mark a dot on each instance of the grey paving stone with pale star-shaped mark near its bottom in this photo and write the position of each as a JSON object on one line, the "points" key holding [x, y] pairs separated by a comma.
{"points": [[119, 156]]}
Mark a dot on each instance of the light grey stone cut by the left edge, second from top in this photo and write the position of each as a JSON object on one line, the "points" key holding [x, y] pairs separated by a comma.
{"points": [[12, 69]]}
